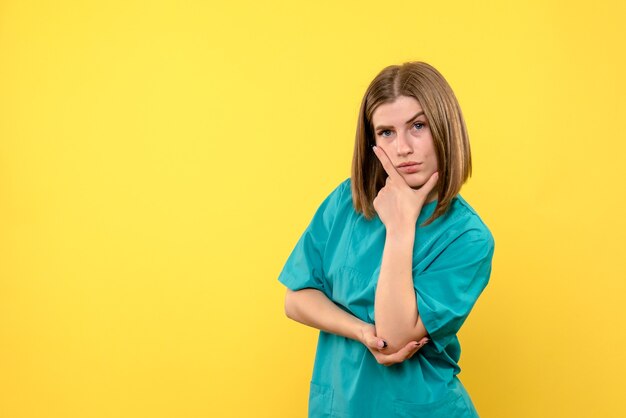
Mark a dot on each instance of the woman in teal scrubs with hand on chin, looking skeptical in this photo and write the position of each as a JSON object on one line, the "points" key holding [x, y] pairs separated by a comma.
{"points": [[394, 259]]}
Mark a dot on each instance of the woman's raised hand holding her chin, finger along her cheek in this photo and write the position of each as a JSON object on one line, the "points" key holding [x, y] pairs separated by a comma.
{"points": [[397, 204]]}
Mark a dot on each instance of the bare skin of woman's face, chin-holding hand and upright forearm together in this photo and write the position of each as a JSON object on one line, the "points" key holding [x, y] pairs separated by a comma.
{"points": [[398, 205]]}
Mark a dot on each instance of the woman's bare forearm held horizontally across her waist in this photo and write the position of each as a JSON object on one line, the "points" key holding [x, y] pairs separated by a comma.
{"points": [[313, 308]]}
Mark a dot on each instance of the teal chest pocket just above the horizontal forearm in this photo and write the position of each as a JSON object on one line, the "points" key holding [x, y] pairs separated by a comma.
{"points": [[354, 291]]}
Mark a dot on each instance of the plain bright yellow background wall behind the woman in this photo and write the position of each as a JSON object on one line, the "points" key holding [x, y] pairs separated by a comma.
{"points": [[159, 160]]}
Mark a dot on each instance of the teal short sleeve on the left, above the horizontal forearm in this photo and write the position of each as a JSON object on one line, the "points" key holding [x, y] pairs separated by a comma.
{"points": [[304, 266]]}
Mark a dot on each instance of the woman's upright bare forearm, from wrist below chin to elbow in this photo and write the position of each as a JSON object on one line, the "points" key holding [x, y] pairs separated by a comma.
{"points": [[395, 305]]}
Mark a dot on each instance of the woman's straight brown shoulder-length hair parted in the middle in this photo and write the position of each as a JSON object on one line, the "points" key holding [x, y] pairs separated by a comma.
{"points": [[424, 83]]}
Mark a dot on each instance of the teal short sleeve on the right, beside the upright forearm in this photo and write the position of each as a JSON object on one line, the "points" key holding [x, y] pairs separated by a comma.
{"points": [[449, 287]]}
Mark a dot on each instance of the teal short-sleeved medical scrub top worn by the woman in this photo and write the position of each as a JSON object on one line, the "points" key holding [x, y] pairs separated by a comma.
{"points": [[340, 254]]}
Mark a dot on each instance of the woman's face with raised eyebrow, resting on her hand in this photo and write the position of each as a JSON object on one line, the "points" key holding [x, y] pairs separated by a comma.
{"points": [[403, 132]]}
